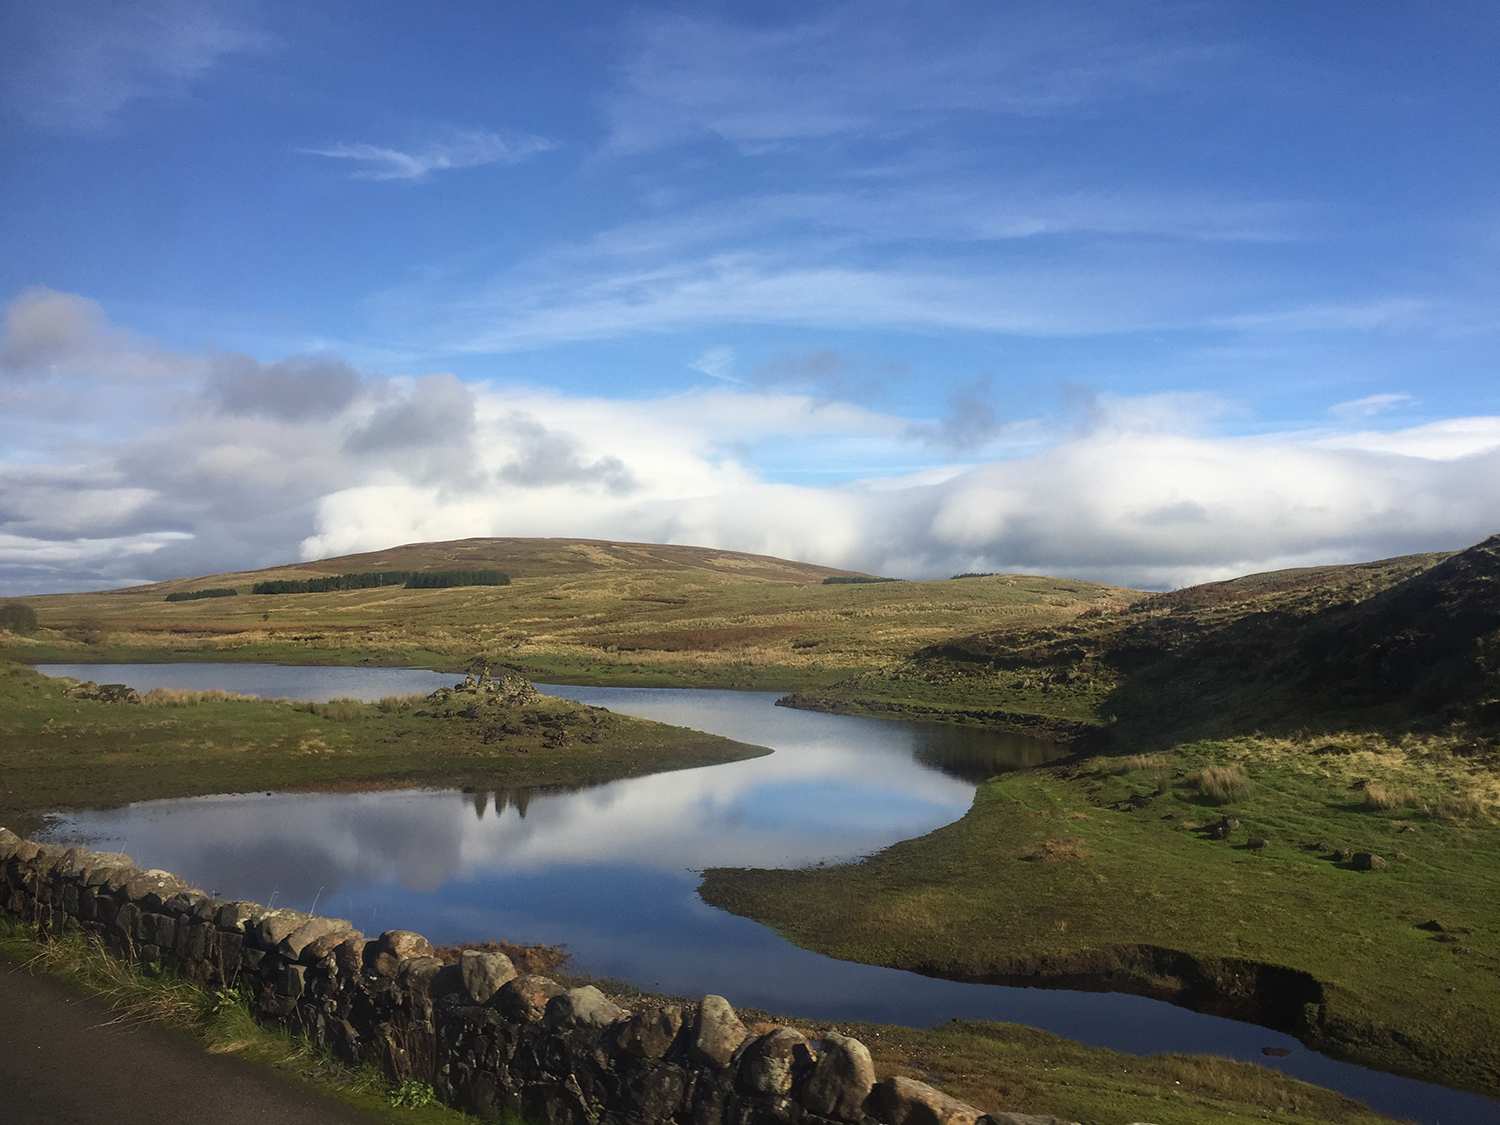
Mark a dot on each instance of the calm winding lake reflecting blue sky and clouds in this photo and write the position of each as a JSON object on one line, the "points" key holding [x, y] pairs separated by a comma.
{"points": [[611, 872]]}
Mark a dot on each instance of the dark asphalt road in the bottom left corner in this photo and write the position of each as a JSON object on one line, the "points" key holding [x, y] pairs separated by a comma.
{"points": [[61, 1064]]}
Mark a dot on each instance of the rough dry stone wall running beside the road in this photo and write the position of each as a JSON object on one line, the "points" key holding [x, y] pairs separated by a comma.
{"points": [[490, 1040]]}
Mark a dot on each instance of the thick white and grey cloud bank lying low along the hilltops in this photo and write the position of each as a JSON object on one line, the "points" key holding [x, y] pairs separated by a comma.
{"points": [[265, 463]]}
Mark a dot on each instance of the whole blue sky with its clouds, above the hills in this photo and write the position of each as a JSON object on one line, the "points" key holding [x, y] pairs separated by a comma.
{"points": [[1147, 295]]}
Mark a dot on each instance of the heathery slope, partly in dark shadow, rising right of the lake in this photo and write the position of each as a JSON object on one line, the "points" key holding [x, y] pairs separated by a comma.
{"points": [[1382, 644]]}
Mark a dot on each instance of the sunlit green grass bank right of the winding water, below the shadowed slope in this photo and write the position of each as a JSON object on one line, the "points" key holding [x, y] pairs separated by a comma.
{"points": [[967, 904]]}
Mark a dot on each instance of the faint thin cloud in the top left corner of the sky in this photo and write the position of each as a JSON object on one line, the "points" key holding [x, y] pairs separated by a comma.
{"points": [[74, 67]]}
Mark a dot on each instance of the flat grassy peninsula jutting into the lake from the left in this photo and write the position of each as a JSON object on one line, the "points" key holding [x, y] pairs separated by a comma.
{"points": [[61, 749]]}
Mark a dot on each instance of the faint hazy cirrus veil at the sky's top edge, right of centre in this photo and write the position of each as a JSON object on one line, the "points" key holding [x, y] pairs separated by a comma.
{"points": [[872, 70]]}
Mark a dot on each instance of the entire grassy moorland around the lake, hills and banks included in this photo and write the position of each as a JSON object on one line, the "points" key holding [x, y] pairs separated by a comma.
{"points": [[1280, 803]]}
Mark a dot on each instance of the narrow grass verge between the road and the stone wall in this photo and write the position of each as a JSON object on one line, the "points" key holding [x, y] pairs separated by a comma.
{"points": [[221, 1022]]}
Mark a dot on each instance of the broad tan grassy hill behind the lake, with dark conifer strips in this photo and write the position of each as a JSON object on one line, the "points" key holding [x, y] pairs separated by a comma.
{"points": [[577, 611]]}
